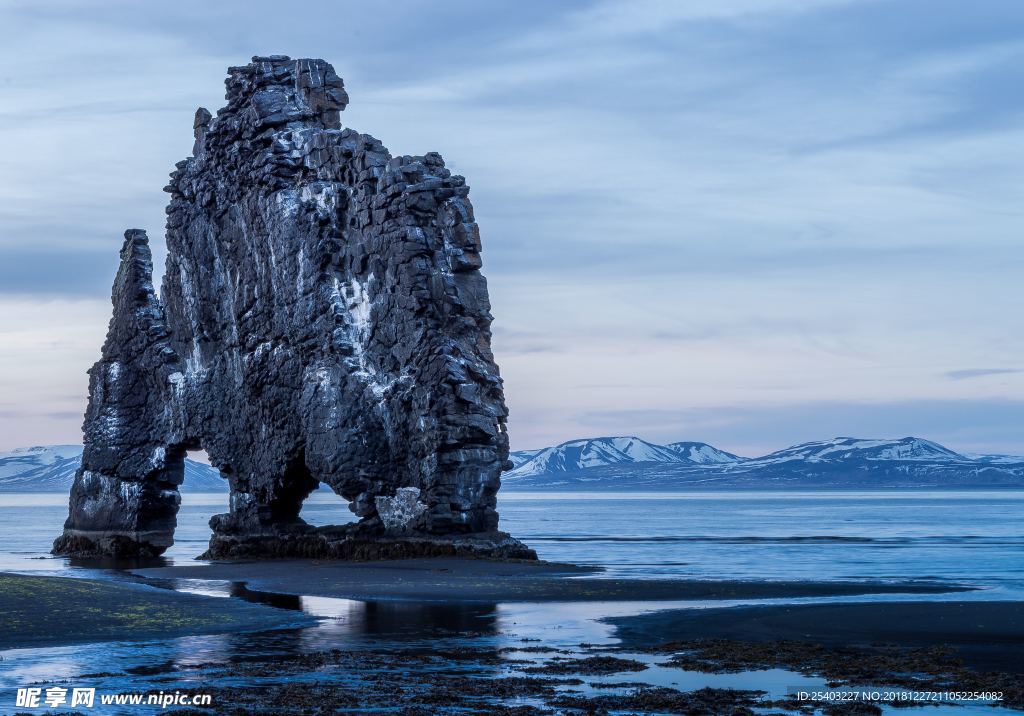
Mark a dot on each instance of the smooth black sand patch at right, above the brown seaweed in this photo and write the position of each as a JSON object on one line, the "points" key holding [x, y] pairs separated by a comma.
{"points": [[988, 636]]}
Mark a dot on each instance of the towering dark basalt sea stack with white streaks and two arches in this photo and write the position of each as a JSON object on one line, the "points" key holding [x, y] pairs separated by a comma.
{"points": [[323, 319]]}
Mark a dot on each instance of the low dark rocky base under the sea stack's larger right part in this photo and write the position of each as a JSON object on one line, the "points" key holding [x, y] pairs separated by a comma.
{"points": [[340, 543]]}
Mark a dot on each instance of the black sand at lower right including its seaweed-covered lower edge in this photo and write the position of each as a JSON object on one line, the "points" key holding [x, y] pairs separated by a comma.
{"points": [[967, 648]]}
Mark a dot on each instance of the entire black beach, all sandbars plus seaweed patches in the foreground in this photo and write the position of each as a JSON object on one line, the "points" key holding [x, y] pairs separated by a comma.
{"points": [[956, 645]]}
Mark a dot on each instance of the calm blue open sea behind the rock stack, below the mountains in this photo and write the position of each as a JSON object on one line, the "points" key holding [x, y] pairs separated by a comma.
{"points": [[967, 537]]}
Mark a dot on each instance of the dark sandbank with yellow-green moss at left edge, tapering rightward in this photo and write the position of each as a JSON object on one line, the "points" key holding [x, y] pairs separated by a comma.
{"points": [[58, 611]]}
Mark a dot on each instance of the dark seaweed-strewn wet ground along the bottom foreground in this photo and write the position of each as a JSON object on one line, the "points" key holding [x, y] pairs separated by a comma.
{"points": [[527, 680]]}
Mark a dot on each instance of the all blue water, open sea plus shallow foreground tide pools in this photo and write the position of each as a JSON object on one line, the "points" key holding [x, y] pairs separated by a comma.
{"points": [[966, 538]]}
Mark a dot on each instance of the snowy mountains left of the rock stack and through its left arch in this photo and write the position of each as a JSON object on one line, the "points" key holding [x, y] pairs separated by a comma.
{"points": [[52, 470]]}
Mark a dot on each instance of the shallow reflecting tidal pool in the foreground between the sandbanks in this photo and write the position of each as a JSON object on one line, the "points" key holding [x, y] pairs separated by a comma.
{"points": [[468, 639]]}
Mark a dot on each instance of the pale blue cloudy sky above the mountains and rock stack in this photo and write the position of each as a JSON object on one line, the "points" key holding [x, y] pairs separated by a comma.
{"points": [[751, 223]]}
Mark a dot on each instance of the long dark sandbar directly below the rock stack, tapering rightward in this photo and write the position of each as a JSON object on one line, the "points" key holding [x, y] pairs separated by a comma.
{"points": [[479, 580]]}
